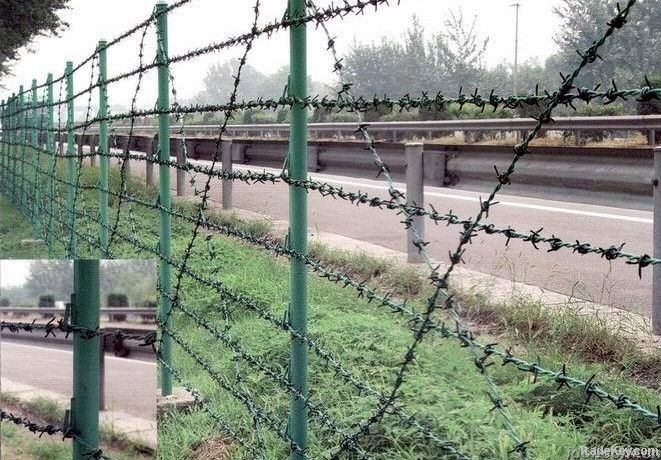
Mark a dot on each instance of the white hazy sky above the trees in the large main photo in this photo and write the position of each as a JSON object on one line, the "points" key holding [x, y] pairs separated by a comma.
{"points": [[205, 21]]}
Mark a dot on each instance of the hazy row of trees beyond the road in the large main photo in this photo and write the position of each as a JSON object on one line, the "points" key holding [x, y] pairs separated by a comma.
{"points": [[454, 58]]}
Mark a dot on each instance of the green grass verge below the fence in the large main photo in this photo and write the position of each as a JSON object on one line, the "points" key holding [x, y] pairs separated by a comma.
{"points": [[443, 387]]}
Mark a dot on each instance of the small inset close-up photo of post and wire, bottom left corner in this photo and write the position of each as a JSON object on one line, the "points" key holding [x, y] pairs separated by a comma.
{"points": [[77, 359]]}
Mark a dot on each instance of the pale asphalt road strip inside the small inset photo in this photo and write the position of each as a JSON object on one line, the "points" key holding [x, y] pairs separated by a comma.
{"points": [[130, 384]]}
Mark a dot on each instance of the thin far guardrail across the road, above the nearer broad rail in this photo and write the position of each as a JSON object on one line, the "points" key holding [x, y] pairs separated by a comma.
{"points": [[427, 129]]}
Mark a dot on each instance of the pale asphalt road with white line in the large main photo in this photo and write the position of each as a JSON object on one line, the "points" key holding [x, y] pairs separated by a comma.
{"points": [[586, 277]]}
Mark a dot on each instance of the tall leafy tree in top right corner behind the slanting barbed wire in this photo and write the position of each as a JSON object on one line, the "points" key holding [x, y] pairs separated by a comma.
{"points": [[627, 56]]}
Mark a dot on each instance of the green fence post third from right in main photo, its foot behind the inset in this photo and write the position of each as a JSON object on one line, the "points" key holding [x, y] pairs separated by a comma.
{"points": [[102, 149]]}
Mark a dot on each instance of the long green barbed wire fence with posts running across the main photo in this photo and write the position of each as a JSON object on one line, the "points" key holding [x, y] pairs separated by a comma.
{"points": [[76, 201]]}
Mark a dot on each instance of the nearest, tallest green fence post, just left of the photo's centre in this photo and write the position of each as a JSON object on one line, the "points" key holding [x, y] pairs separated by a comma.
{"points": [[298, 226]]}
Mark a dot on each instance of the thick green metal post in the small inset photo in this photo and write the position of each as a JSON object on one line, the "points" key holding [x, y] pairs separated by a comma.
{"points": [[85, 404]]}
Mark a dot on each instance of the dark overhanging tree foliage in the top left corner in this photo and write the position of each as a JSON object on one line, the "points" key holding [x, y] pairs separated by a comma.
{"points": [[21, 21]]}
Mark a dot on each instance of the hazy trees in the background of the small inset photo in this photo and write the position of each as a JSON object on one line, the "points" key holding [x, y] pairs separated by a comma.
{"points": [[134, 278]]}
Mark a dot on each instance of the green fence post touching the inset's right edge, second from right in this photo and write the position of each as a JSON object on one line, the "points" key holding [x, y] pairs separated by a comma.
{"points": [[165, 304]]}
